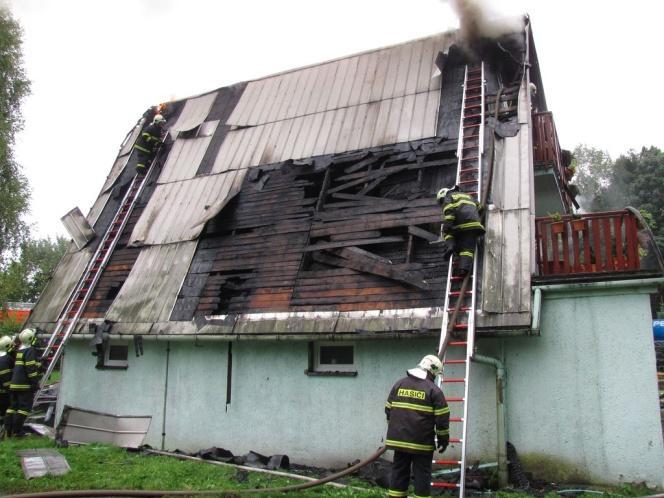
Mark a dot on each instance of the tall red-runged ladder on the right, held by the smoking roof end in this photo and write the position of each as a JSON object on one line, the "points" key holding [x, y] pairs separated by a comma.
{"points": [[456, 350]]}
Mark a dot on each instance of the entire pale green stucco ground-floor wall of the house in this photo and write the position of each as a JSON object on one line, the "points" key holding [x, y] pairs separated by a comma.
{"points": [[582, 396]]}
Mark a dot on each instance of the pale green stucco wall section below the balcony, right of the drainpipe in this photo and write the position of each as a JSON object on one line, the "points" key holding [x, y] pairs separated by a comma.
{"points": [[585, 392]]}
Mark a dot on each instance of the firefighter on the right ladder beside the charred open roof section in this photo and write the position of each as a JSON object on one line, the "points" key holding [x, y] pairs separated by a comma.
{"points": [[461, 226]]}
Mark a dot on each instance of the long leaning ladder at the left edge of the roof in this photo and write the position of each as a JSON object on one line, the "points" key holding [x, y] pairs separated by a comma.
{"points": [[82, 292]]}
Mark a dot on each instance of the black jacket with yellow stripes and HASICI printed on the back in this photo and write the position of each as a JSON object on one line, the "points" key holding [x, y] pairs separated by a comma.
{"points": [[416, 410]]}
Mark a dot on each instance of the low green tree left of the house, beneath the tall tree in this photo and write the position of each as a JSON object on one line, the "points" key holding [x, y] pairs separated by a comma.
{"points": [[24, 278]]}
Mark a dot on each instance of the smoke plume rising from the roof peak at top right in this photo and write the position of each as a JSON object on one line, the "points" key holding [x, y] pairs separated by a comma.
{"points": [[485, 19]]}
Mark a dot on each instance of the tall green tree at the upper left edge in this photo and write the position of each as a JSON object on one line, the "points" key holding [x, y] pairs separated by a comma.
{"points": [[14, 86]]}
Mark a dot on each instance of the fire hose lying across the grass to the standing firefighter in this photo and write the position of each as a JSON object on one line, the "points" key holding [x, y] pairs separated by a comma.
{"points": [[212, 492]]}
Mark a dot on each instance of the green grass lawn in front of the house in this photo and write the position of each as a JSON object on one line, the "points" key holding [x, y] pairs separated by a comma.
{"points": [[108, 467]]}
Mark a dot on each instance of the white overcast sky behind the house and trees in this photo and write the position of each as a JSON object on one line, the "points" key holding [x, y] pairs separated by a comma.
{"points": [[96, 66]]}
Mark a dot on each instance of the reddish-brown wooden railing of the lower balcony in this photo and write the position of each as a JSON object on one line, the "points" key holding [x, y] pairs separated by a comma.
{"points": [[590, 243]]}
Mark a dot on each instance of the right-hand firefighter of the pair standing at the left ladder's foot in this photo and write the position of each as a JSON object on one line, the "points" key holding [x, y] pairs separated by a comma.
{"points": [[23, 385]]}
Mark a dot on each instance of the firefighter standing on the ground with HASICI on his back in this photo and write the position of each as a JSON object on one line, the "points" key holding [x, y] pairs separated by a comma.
{"points": [[416, 410]]}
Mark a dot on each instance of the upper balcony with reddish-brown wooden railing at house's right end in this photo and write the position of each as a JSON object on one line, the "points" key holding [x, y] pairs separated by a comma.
{"points": [[551, 184]]}
